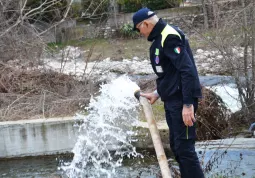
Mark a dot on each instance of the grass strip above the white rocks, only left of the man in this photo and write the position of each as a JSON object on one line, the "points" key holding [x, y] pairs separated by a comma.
{"points": [[116, 49]]}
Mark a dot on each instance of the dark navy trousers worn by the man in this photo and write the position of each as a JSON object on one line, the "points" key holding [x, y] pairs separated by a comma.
{"points": [[182, 139]]}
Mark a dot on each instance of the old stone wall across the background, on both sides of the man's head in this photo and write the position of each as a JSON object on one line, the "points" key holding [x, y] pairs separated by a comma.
{"points": [[186, 17]]}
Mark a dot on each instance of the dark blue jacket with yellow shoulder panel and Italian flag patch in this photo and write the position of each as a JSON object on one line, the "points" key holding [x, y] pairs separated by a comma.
{"points": [[173, 63]]}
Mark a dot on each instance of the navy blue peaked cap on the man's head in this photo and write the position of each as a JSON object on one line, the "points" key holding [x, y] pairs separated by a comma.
{"points": [[142, 15]]}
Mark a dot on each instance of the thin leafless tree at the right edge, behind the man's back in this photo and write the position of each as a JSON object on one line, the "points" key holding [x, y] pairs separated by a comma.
{"points": [[234, 39]]}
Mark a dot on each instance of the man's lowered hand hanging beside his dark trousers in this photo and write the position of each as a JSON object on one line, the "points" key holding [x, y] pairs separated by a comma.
{"points": [[188, 115]]}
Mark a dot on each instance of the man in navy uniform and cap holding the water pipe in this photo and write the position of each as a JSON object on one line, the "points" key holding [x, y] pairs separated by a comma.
{"points": [[177, 84]]}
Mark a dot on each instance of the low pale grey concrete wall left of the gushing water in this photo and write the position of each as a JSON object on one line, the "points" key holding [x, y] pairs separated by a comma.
{"points": [[37, 137]]}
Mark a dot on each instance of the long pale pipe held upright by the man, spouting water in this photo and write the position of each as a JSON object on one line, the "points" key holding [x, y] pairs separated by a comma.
{"points": [[166, 173]]}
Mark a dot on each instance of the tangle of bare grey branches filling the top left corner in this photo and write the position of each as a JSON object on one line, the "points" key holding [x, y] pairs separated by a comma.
{"points": [[20, 38]]}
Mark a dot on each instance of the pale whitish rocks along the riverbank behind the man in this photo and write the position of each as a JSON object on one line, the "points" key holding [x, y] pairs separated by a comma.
{"points": [[70, 60]]}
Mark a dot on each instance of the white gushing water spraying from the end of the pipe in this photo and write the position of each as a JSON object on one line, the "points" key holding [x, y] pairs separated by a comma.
{"points": [[106, 133]]}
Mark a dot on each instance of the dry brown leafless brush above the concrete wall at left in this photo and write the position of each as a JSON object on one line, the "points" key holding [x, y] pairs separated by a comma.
{"points": [[39, 94]]}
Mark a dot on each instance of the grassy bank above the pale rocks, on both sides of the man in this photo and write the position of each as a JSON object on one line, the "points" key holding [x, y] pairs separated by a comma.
{"points": [[118, 49]]}
